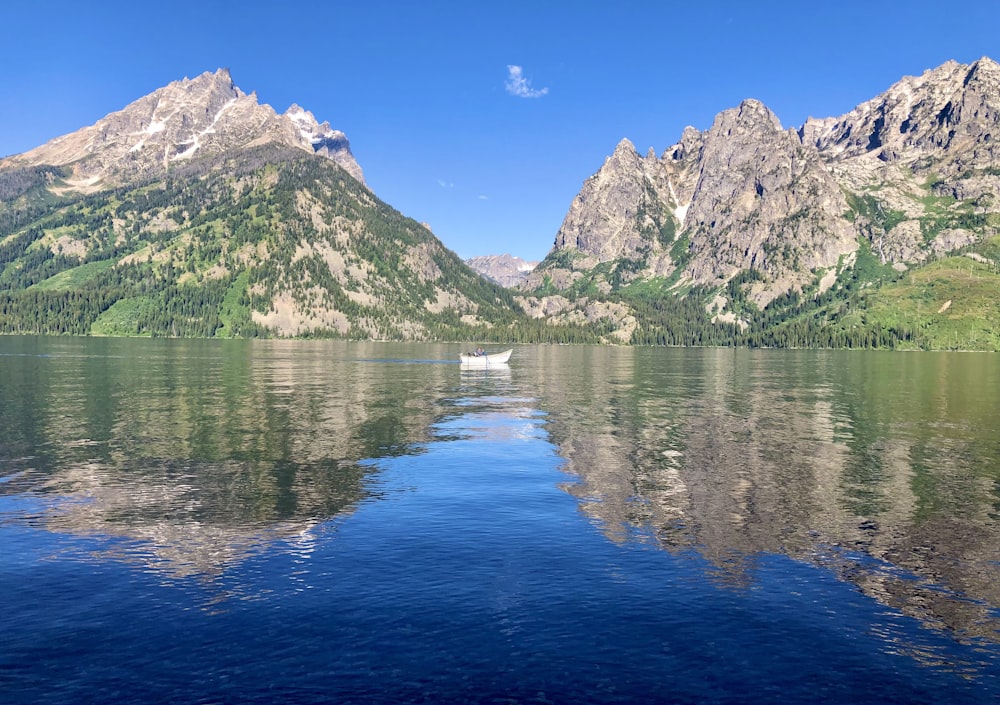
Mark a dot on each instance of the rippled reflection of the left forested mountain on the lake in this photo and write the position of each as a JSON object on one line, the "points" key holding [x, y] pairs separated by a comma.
{"points": [[191, 456]]}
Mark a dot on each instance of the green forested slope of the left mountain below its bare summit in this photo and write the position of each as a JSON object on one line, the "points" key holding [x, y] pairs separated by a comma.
{"points": [[217, 246]]}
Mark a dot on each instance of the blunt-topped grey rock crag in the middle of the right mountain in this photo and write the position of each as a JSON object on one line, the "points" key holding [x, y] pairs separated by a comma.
{"points": [[764, 202]]}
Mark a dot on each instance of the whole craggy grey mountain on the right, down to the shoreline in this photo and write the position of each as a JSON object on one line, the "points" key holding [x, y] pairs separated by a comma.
{"points": [[761, 225]]}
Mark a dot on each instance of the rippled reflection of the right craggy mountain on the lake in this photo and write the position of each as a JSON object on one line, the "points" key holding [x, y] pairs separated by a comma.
{"points": [[882, 467]]}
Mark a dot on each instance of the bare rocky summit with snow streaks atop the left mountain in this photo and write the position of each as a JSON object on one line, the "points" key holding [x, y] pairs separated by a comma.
{"points": [[182, 121]]}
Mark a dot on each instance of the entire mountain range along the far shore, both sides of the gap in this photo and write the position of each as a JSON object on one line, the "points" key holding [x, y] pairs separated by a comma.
{"points": [[196, 210]]}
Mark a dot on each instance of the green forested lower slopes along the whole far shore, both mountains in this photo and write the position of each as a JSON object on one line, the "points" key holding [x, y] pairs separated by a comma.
{"points": [[273, 242]]}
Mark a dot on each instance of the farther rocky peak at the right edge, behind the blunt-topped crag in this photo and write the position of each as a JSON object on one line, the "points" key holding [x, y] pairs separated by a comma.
{"points": [[922, 160]]}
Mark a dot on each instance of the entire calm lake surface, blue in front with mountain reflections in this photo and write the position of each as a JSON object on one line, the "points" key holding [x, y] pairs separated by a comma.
{"points": [[312, 522]]}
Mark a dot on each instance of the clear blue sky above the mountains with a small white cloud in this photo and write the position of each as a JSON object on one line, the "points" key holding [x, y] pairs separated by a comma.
{"points": [[446, 131]]}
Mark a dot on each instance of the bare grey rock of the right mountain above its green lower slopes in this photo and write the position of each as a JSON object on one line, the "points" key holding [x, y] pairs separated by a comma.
{"points": [[910, 174]]}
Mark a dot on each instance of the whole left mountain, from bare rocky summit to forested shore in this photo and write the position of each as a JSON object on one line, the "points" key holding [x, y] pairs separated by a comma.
{"points": [[196, 210]]}
